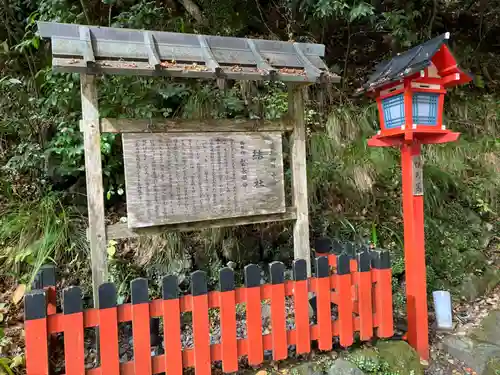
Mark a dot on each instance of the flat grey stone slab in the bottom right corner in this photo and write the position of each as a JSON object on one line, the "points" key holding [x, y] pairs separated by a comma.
{"points": [[474, 354]]}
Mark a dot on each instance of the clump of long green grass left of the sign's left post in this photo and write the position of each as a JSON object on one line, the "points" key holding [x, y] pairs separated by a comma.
{"points": [[36, 233]]}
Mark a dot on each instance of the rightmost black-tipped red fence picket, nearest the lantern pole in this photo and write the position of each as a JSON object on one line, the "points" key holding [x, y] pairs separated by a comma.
{"points": [[383, 294]]}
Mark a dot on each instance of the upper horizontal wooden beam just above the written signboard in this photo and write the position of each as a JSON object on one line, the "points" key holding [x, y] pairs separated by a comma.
{"points": [[124, 125]]}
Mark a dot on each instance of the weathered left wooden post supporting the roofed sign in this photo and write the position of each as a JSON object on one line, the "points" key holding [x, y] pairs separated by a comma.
{"points": [[95, 189]]}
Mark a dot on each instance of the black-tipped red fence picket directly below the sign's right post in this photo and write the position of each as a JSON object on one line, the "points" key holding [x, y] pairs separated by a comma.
{"points": [[301, 307]]}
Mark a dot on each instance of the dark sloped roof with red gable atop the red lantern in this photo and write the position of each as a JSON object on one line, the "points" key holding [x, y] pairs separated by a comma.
{"points": [[411, 62]]}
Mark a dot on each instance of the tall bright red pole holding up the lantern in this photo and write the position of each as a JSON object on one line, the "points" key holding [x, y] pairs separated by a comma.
{"points": [[416, 283]]}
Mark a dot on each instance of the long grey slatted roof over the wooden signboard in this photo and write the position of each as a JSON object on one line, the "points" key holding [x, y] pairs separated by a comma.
{"points": [[94, 49]]}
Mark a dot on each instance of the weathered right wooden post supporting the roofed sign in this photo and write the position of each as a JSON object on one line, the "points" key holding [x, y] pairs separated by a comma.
{"points": [[301, 249]]}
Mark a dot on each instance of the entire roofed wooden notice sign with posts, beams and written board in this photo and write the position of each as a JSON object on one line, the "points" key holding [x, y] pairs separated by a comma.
{"points": [[195, 174]]}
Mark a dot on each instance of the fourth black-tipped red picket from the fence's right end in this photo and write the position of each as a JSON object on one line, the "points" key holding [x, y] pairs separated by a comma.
{"points": [[324, 309]]}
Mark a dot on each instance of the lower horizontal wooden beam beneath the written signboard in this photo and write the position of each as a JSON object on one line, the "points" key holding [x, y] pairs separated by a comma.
{"points": [[121, 230]]}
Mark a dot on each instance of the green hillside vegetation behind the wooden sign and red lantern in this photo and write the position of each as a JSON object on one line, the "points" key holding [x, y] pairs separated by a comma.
{"points": [[354, 190]]}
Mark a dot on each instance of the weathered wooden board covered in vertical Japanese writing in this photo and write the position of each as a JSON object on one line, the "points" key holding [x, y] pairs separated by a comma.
{"points": [[187, 177]]}
